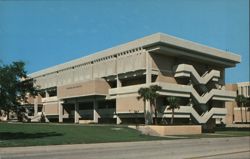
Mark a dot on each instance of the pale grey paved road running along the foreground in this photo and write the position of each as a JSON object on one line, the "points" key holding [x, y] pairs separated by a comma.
{"points": [[209, 148]]}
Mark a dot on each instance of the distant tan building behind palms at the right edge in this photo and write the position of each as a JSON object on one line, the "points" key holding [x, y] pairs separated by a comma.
{"points": [[233, 111]]}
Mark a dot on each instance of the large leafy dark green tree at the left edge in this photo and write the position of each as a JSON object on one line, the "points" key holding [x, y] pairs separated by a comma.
{"points": [[13, 87]]}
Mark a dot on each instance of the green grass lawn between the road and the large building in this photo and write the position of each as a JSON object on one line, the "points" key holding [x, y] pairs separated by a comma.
{"points": [[28, 134]]}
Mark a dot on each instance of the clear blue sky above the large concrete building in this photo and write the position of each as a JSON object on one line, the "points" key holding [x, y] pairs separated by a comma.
{"points": [[45, 33]]}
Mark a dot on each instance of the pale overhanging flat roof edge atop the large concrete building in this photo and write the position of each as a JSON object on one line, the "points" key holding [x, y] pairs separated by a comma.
{"points": [[148, 41]]}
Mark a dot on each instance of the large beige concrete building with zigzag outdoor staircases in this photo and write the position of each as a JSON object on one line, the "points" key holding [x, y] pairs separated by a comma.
{"points": [[103, 87]]}
